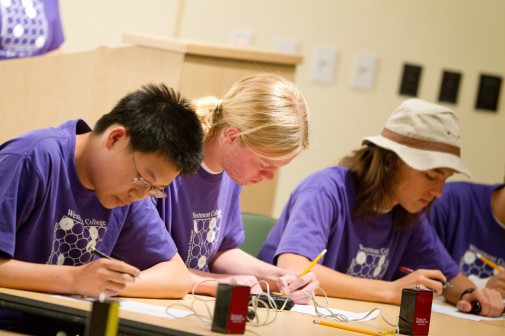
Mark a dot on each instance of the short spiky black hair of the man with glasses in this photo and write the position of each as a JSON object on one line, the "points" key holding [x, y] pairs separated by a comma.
{"points": [[159, 121]]}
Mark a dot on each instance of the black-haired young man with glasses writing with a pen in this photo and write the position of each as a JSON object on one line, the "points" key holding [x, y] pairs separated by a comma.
{"points": [[68, 190]]}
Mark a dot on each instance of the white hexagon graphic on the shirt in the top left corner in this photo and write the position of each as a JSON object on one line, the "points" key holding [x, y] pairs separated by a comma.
{"points": [[24, 25]]}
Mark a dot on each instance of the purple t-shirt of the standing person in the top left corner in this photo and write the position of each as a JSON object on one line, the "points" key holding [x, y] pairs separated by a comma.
{"points": [[29, 28]]}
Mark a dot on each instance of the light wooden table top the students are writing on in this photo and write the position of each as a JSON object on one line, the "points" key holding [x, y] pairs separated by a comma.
{"points": [[286, 323]]}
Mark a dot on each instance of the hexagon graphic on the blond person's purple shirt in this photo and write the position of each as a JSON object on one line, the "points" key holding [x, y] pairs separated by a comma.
{"points": [[203, 240]]}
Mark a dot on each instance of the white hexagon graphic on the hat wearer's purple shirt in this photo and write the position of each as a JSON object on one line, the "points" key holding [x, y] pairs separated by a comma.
{"points": [[369, 263]]}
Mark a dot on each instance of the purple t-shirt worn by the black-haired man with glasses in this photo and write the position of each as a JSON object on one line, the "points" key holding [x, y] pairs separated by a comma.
{"points": [[48, 217]]}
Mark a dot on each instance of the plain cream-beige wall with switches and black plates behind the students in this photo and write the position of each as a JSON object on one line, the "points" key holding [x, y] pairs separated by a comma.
{"points": [[462, 35]]}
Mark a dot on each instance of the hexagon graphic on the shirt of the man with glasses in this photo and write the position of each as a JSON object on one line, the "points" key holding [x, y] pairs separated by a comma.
{"points": [[72, 241]]}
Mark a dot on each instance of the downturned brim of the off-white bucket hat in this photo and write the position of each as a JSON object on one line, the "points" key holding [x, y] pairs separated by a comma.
{"points": [[420, 159]]}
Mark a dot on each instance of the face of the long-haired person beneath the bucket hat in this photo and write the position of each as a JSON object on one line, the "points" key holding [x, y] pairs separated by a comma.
{"points": [[414, 189]]}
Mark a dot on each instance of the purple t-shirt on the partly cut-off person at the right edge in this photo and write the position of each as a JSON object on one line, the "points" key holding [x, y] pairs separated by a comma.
{"points": [[464, 221]]}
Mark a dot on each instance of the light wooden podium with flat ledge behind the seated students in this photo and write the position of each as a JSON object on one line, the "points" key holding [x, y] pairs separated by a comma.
{"points": [[48, 90]]}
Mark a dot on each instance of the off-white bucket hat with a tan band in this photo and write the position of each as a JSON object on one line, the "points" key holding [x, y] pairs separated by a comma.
{"points": [[424, 135]]}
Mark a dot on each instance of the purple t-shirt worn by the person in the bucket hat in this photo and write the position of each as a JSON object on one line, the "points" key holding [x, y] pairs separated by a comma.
{"points": [[318, 216]]}
